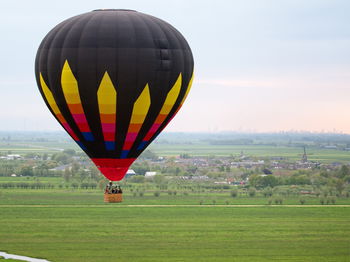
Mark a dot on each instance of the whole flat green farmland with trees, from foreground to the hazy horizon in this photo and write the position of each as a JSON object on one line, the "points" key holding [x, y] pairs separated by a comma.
{"points": [[61, 216]]}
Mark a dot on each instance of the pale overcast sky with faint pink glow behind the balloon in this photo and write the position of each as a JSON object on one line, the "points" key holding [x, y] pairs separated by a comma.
{"points": [[259, 65]]}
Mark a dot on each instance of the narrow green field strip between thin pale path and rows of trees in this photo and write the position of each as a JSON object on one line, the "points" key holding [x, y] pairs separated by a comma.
{"points": [[95, 197]]}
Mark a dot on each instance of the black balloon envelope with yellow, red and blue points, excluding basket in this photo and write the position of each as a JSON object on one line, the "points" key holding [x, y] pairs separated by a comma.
{"points": [[114, 79]]}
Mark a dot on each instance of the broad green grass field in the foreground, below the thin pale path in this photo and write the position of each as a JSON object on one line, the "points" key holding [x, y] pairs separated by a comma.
{"points": [[119, 233]]}
